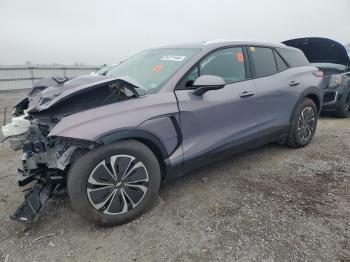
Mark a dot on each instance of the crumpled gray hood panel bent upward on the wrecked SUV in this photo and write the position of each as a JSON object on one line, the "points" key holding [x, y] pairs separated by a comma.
{"points": [[51, 91]]}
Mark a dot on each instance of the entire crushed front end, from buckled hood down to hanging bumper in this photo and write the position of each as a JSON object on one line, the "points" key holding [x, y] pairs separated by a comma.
{"points": [[46, 159]]}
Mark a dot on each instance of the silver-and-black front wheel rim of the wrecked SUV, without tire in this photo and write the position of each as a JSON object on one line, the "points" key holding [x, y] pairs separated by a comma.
{"points": [[117, 184]]}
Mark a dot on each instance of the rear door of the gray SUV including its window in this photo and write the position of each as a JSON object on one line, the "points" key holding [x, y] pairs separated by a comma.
{"points": [[276, 86]]}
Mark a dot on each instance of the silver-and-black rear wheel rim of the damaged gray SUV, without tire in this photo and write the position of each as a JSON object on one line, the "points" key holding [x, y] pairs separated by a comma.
{"points": [[306, 124]]}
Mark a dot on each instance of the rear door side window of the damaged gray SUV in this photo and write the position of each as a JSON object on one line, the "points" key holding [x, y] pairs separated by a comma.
{"points": [[264, 61]]}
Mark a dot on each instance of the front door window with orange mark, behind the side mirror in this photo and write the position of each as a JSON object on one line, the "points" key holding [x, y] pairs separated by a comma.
{"points": [[227, 63]]}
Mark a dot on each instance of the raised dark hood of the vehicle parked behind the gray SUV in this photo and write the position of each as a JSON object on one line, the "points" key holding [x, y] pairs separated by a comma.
{"points": [[321, 50]]}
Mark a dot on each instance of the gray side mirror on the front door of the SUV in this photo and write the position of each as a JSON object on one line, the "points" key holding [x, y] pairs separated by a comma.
{"points": [[206, 83]]}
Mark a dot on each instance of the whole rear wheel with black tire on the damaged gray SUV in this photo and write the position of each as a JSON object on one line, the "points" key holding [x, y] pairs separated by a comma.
{"points": [[295, 138]]}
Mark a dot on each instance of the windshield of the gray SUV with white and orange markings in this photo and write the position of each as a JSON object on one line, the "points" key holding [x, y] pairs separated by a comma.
{"points": [[152, 68]]}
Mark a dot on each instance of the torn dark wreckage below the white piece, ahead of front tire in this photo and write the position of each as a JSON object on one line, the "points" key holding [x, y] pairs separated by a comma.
{"points": [[45, 164]]}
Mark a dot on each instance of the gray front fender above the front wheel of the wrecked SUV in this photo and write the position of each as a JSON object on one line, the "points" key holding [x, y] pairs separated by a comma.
{"points": [[151, 117]]}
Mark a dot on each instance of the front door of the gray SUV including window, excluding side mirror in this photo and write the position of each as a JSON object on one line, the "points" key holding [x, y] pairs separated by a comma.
{"points": [[219, 119]]}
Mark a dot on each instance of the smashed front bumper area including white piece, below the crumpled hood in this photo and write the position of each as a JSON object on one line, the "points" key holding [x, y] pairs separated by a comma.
{"points": [[44, 164]]}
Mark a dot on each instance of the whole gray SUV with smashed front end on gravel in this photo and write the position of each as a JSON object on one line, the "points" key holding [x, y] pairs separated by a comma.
{"points": [[111, 140]]}
